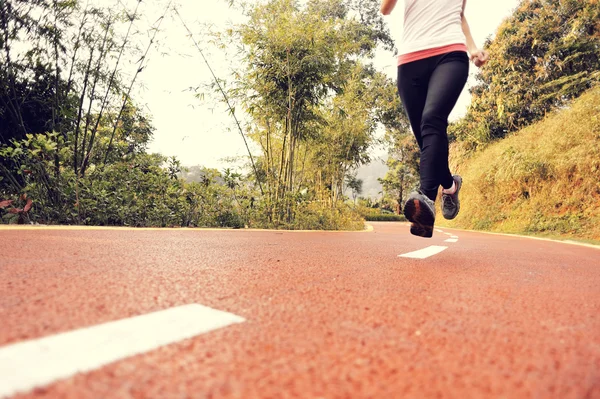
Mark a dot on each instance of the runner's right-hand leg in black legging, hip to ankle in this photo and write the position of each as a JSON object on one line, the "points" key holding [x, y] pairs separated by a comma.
{"points": [[445, 85]]}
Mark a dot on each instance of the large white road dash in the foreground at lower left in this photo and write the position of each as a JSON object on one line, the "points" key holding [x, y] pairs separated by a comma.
{"points": [[30, 364]]}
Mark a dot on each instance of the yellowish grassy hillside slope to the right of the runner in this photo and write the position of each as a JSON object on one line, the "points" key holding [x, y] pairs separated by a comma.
{"points": [[543, 180]]}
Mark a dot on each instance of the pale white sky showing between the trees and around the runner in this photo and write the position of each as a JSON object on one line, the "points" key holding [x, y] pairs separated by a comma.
{"points": [[200, 131]]}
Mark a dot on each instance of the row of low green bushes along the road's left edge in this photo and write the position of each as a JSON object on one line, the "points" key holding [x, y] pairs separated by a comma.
{"points": [[143, 190]]}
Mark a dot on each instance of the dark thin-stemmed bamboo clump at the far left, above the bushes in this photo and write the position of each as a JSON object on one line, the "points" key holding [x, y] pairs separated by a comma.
{"points": [[64, 106]]}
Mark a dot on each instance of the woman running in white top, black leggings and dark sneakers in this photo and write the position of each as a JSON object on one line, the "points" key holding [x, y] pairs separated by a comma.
{"points": [[433, 67]]}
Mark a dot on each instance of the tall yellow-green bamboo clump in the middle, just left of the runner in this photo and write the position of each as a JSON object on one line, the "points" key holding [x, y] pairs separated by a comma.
{"points": [[310, 96]]}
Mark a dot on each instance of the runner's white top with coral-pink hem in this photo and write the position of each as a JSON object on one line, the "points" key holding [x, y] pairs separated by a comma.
{"points": [[430, 24]]}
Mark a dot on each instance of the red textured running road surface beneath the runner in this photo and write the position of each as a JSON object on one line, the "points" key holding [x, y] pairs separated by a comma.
{"points": [[329, 315]]}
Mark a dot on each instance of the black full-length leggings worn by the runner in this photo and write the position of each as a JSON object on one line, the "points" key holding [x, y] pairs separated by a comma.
{"points": [[429, 89]]}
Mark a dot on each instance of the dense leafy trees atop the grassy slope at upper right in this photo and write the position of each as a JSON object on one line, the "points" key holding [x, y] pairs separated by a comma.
{"points": [[543, 55]]}
